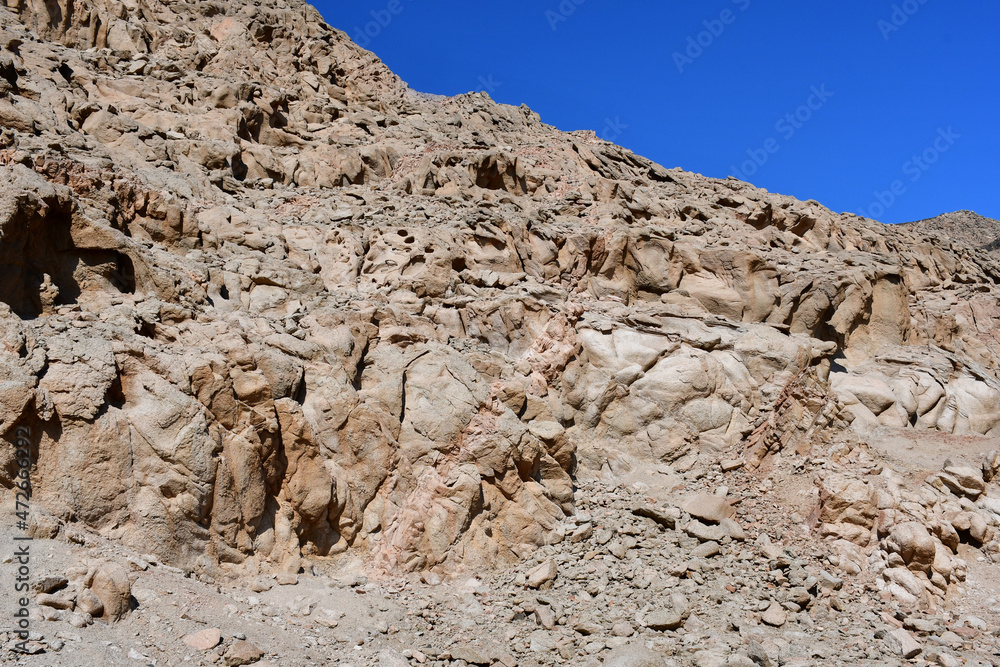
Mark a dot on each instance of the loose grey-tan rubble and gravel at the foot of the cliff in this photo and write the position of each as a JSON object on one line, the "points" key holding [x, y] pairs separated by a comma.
{"points": [[710, 573]]}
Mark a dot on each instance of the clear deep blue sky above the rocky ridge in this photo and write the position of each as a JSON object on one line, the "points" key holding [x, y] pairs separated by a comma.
{"points": [[887, 108]]}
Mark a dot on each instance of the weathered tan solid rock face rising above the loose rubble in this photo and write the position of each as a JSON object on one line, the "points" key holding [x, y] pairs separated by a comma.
{"points": [[261, 302]]}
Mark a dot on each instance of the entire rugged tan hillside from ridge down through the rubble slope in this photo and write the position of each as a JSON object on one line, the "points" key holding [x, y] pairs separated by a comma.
{"points": [[266, 310]]}
